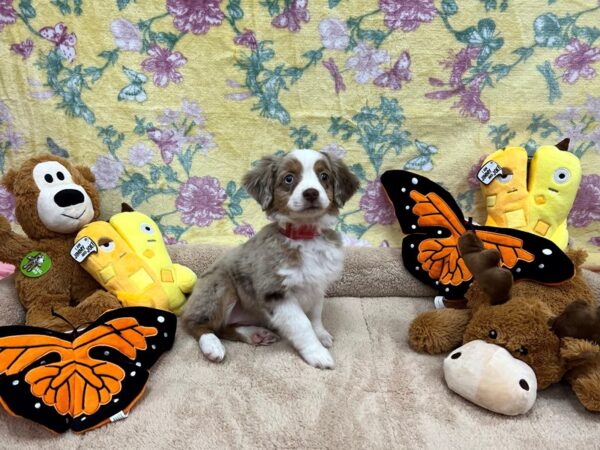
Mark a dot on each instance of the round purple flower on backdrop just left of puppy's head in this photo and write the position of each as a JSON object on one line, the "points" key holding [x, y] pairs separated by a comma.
{"points": [[200, 201]]}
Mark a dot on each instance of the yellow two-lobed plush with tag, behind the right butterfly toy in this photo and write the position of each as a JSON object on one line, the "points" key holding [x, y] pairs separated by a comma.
{"points": [[536, 196]]}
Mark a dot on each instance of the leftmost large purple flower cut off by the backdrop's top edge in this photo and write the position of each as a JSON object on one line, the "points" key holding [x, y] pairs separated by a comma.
{"points": [[196, 16]]}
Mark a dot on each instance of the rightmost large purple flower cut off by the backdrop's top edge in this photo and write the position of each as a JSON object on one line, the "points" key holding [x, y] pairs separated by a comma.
{"points": [[407, 14]]}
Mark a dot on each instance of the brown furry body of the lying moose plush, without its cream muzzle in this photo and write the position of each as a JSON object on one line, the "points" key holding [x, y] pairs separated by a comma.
{"points": [[550, 328]]}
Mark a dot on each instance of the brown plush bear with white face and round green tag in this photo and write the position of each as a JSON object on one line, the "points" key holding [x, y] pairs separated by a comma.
{"points": [[53, 201]]}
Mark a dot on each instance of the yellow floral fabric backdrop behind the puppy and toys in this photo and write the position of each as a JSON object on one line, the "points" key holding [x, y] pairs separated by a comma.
{"points": [[170, 101]]}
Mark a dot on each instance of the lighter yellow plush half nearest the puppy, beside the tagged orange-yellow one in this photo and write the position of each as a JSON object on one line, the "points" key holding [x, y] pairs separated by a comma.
{"points": [[144, 237]]}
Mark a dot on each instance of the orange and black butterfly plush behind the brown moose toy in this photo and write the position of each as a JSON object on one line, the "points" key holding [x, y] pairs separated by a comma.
{"points": [[432, 222]]}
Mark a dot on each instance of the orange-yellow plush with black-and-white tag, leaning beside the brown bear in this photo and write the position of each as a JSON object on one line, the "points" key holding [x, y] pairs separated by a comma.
{"points": [[105, 255]]}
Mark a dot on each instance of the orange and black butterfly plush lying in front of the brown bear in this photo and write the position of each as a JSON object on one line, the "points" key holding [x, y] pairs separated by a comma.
{"points": [[82, 380]]}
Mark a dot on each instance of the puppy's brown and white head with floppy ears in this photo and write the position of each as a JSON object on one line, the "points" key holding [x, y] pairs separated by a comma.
{"points": [[303, 185]]}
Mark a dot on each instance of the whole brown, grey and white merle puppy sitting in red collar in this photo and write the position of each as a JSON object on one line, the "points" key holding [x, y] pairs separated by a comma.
{"points": [[277, 280]]}
